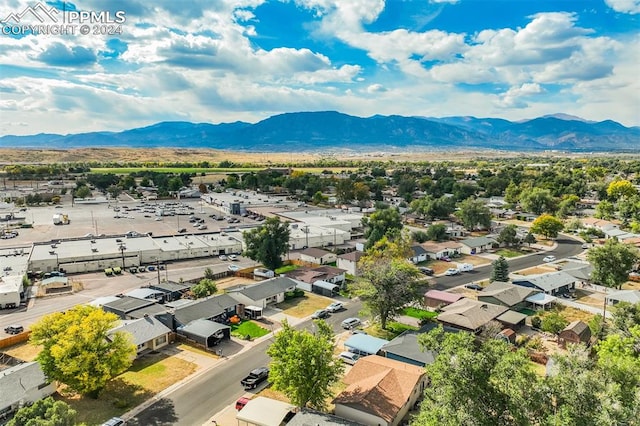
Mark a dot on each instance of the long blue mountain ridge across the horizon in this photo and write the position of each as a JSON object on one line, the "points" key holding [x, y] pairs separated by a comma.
{"points": [[333, 131]]}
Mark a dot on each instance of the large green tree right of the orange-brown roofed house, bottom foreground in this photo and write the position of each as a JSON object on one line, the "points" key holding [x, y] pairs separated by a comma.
{"points": [[481, 385]]}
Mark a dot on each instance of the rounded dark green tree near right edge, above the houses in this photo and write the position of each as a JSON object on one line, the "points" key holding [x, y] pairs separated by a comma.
{"points": [[612, 262]]}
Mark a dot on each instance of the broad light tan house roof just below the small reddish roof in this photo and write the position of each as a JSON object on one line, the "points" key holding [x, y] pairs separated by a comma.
{"points": [[470, 314]]}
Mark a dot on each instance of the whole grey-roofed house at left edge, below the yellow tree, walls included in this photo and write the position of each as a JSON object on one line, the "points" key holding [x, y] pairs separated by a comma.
{"points": [[23, 383]]}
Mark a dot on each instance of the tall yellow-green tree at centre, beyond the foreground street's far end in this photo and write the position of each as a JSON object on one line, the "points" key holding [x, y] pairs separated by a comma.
{"points": [[387, 281]]}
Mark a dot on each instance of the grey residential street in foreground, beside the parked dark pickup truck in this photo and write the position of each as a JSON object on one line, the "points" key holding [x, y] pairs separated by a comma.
{"points": [[199, 399]]}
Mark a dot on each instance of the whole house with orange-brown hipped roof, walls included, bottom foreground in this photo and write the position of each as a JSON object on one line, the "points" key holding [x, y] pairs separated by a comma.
{"points": [[380, 391]]}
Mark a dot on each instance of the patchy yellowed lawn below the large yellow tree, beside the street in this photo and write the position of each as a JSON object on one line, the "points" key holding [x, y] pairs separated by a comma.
{"points": [[145, 378]]}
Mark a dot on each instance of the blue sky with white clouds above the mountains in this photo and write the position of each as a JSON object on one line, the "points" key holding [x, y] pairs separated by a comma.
{"points": [[224, 60]]}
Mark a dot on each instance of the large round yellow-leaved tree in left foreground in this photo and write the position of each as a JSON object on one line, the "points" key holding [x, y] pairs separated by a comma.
{"points": [[78, 351]]}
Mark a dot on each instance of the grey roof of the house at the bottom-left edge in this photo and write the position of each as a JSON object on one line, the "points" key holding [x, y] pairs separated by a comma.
{"points": [[18, 381]]}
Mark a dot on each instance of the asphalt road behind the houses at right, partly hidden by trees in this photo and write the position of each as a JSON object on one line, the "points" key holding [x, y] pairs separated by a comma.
{"points": [[566, 247]]}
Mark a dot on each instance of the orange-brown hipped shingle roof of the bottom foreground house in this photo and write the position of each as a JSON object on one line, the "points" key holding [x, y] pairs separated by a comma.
{"points": [[380, 386]]}
